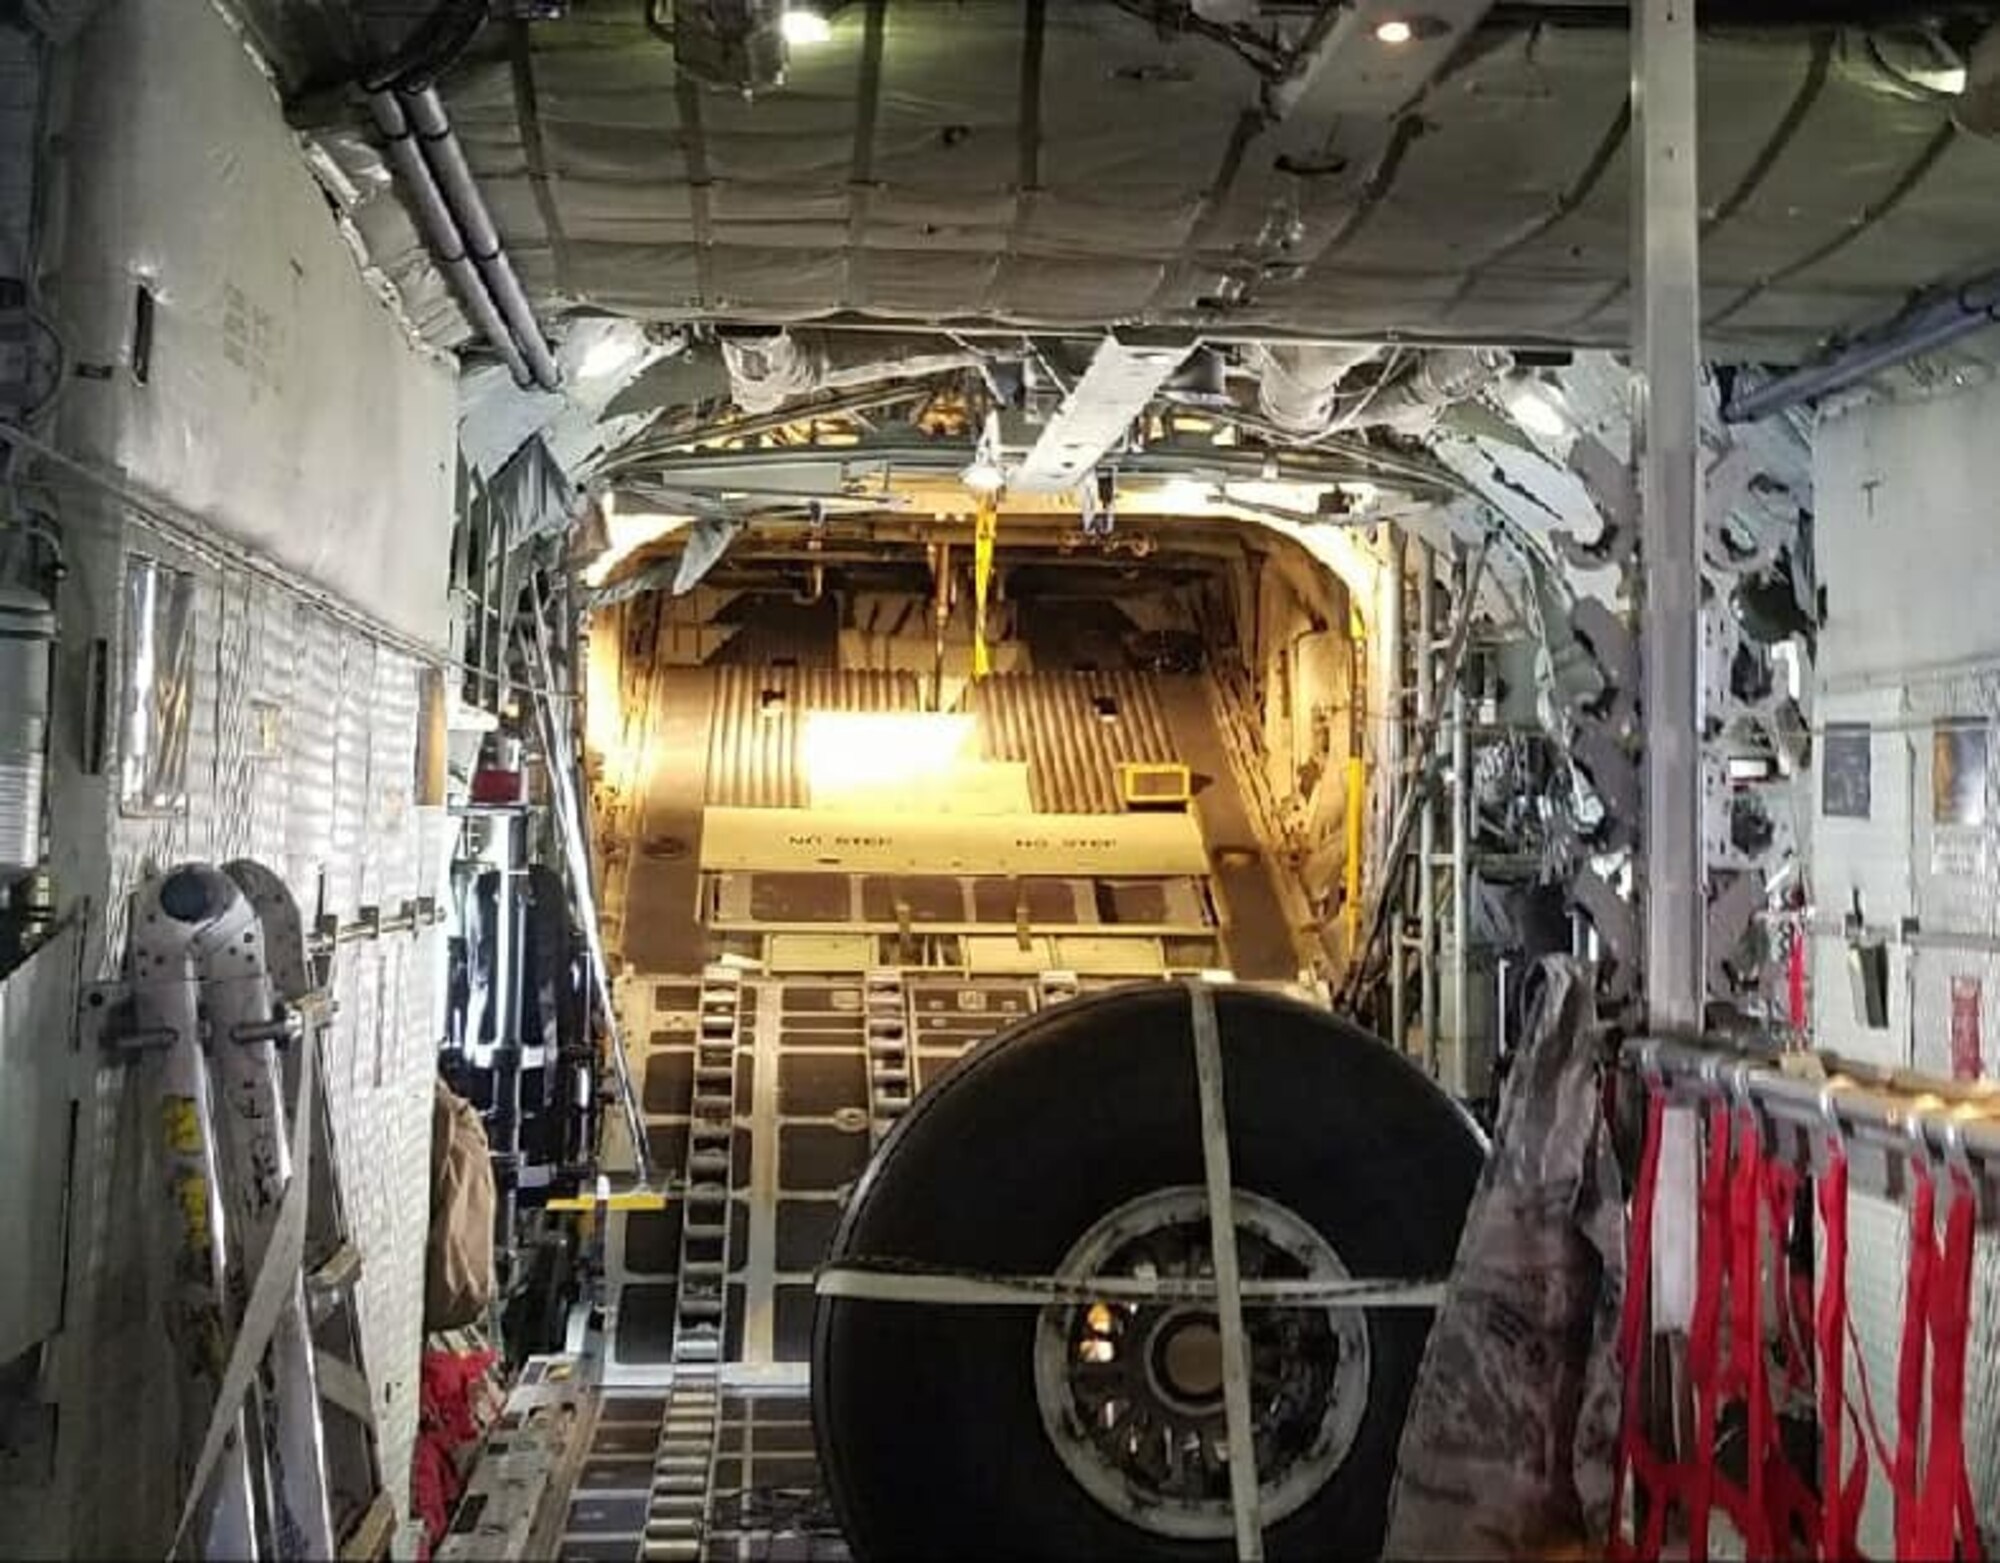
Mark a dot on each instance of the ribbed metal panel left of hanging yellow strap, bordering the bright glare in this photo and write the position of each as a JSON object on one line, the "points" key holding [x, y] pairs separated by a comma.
{"points": [[753, 759]]}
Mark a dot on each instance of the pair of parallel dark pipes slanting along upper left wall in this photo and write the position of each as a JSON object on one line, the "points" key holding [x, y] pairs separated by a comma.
{"points": [[465, 243]]}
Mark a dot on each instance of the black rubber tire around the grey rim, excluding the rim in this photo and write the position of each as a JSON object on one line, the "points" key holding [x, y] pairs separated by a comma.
{"points": [[927, 1418]]}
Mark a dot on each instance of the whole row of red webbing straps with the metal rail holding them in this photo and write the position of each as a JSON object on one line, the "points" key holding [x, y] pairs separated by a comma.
{"points": [[1785, 1436]]}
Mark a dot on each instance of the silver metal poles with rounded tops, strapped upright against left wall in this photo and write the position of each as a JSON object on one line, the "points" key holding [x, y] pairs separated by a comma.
{"points": [[225, 1010]]}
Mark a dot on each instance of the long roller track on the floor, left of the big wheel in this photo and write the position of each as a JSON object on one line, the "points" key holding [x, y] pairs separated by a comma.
{"points": [[683, 1474]]}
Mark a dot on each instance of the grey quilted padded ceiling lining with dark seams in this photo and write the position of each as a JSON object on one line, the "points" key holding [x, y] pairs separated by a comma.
{"points": [[1067, 165]]}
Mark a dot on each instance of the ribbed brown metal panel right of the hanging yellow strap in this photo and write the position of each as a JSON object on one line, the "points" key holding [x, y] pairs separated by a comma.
{"points": [[1073, 751]]}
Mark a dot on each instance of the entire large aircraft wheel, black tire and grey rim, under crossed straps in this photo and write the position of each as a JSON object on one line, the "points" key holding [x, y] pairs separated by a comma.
{"points": [[1073, 1144]]}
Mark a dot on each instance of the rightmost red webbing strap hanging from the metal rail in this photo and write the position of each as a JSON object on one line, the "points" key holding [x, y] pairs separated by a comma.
{"points": [[1943, 1522]]}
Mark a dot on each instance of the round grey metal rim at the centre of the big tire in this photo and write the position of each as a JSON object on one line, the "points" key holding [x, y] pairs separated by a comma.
{"points": [[1131, 1394]]}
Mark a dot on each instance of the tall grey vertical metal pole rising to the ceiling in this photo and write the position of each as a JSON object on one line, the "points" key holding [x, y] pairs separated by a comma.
{"points": [[1667, 435]]}
